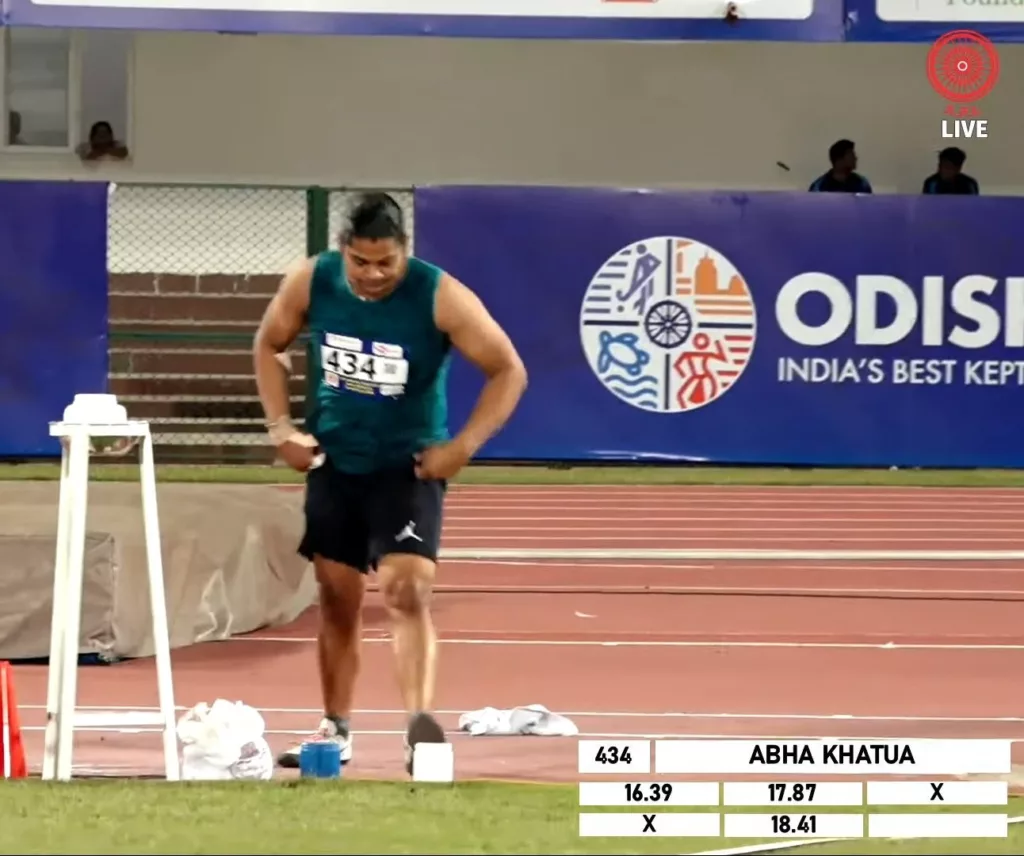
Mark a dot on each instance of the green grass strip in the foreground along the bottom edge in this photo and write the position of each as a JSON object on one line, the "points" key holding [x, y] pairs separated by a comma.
{"points": [[315, 818]]}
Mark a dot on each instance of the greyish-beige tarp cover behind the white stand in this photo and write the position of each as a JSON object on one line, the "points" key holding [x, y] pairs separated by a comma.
{"points": [[230, 566]]}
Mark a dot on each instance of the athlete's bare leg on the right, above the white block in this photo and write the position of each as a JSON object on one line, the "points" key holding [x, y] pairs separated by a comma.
{"points": [[406, 583]]}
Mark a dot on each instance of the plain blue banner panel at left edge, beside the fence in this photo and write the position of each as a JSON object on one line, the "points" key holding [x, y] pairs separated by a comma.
{"points": [[53, 307]]}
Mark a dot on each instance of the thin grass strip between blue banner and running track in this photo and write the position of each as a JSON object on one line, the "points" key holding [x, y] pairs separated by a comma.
{"points": [[488, 475]]}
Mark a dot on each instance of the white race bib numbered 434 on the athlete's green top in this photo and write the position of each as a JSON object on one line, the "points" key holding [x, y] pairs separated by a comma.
{"points": [[352, 367]]}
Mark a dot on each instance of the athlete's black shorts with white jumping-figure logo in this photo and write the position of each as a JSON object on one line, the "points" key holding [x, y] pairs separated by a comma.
{"points": [[358, 520]]}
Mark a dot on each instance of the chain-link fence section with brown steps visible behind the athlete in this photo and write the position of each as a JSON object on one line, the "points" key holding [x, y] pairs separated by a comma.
{"points": [[192, 270]]}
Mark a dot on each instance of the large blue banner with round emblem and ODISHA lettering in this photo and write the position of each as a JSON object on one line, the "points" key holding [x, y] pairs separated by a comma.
{"points": [[802, 329]]}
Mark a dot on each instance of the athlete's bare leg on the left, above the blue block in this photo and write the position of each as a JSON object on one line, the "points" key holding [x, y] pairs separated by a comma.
{"points": [[342, 589]]}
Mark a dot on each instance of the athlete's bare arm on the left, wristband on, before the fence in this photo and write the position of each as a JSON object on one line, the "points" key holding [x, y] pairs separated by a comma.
{"points": [[283, 321]]}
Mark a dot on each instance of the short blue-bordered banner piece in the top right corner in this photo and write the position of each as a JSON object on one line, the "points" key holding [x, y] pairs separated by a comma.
{"points": [[926, 21]]}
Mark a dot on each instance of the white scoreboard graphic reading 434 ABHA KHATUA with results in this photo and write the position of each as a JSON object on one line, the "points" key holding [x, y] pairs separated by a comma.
{"points": [[806, 789]]}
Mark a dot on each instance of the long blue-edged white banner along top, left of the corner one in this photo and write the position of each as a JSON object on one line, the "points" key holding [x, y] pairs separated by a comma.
{"points": [[814, 21]]}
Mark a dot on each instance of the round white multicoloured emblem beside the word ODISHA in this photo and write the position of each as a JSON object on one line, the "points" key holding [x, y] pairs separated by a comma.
{"points": [[668, 325]]}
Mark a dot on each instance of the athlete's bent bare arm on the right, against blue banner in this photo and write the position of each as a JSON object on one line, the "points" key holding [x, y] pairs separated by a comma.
{"points": [[461, 315]]}
